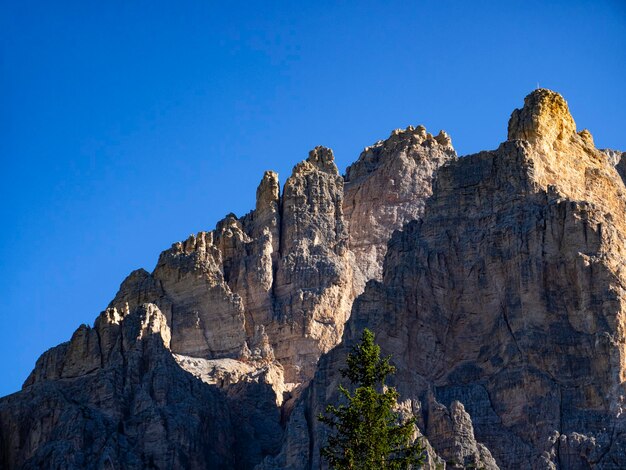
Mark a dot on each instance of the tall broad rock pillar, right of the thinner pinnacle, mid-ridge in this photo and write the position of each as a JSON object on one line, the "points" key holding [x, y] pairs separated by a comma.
{"points": [[313, 287]]}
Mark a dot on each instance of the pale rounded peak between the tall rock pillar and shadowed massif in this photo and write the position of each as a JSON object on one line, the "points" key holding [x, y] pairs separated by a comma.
{"points": [[387, 187]]}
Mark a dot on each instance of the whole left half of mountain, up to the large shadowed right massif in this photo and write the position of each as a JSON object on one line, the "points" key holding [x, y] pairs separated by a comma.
{"points": [[197, 364]]}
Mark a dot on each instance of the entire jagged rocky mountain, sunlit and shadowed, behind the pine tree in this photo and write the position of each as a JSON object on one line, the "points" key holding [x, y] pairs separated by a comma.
{"points": [[497, 281]]}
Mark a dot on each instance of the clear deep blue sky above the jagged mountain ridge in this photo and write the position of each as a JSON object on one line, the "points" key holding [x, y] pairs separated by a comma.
{"points": [[125, 126]]}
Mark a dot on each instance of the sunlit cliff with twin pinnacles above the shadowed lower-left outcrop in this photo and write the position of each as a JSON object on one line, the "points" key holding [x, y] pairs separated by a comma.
{"points": [[274, 285]]}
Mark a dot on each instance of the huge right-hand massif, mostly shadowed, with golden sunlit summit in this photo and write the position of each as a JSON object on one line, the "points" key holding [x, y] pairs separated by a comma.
{"points": [[506, 301]]}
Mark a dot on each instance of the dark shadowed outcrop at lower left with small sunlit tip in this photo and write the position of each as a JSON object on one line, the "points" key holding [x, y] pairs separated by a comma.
{"points": [[137, 410]]}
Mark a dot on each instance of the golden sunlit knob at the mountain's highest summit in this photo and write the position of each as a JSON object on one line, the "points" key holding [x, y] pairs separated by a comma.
{"points": [[545, 118]]}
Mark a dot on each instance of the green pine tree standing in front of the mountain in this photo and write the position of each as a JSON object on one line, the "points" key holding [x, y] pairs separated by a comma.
{"points": [[366, 432]]}
